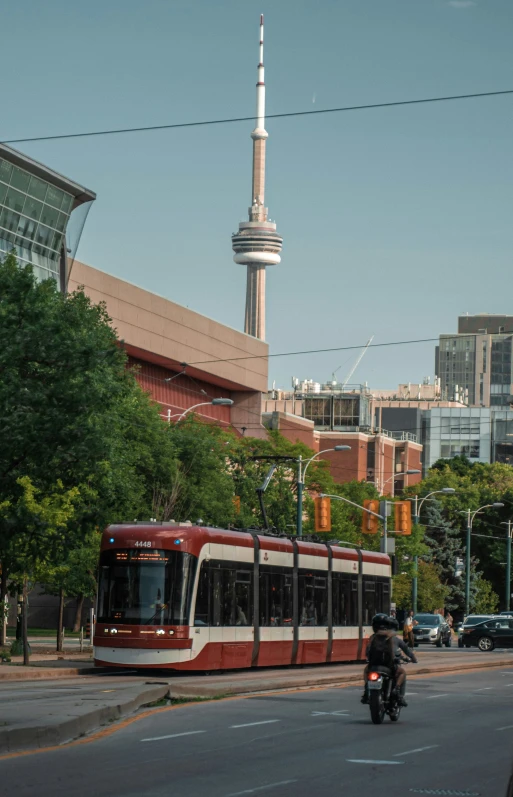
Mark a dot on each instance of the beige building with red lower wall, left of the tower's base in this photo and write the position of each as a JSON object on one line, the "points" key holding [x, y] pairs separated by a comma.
{"points": [[202, 358]]}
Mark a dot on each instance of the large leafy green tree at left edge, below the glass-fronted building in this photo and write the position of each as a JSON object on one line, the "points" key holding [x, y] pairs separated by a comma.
{"points": [[72, 414]]}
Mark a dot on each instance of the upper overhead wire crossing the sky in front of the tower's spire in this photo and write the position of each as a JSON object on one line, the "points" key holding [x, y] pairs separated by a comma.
{"points": [[230, 120]]}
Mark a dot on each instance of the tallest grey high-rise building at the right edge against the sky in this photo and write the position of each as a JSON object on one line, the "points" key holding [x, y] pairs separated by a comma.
{"points": [[475, 365]]}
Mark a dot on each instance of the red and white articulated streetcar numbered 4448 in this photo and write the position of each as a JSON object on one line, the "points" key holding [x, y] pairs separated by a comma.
{"points": [[186, 597]]}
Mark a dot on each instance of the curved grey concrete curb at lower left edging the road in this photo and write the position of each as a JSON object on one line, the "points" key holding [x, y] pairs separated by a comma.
{"points": [[36, 738]]}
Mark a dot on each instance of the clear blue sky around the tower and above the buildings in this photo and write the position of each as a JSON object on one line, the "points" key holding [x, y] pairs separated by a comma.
{"points": [[394, 221]]}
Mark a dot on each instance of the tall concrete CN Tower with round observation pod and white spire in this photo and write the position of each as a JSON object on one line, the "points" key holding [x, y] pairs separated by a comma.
{"points": [[257, 244]]}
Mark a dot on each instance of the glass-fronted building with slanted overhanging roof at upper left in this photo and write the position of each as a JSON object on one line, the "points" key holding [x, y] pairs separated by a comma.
{"points": [[42, 215]]}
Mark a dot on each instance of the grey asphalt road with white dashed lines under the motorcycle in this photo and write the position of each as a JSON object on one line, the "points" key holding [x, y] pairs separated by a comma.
{"points": [[456, 734]]}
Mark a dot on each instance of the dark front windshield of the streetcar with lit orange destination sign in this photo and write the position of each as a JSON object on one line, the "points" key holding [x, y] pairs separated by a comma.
{"points": [[145, 586]]}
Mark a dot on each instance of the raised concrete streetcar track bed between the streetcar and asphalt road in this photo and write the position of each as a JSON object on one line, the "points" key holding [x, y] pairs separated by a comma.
{"points": [[53, 705]]}
